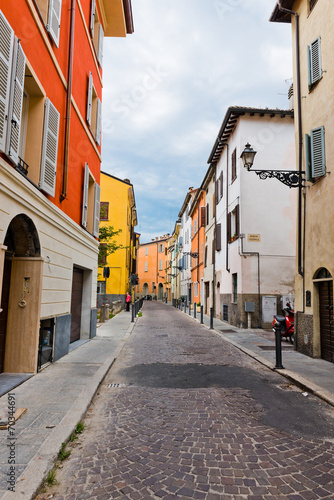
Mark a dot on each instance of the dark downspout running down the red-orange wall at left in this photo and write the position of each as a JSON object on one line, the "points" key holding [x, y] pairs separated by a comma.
{"points": [[68, 104]]}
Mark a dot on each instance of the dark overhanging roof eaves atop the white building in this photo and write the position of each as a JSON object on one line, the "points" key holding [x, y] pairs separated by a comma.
{"points": [[230, 121]]}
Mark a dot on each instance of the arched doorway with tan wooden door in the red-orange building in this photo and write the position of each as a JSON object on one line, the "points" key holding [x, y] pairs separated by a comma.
{"points": [[20, 297]]}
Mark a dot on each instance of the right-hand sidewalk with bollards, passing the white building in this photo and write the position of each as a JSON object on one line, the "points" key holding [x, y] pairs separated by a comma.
{"points": [[313, 375]]}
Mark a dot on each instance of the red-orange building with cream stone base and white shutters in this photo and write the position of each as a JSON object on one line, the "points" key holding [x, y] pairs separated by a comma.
{"points": [[50, 154]]}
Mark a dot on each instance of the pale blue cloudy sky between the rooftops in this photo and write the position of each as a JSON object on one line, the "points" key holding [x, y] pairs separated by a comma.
{"points": [[167, 88]]}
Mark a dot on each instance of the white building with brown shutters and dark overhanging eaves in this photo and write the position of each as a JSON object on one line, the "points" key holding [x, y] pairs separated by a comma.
{"points": [[255, 226]]}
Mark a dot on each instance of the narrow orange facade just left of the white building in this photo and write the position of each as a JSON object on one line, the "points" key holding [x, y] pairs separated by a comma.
{"points": [[198, 213]]}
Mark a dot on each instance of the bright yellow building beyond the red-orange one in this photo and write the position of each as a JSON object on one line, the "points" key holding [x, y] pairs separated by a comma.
{"points": [[117, 209]]}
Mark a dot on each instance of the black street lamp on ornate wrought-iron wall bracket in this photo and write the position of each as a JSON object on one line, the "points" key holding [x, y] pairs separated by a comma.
{"points": [[291, 178]]}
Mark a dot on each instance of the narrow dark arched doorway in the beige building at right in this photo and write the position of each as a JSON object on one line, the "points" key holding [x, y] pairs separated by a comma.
{"points": [[324, 282]]}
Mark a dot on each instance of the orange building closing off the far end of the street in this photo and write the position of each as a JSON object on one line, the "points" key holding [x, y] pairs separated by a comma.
{"points": [[152, 268]]}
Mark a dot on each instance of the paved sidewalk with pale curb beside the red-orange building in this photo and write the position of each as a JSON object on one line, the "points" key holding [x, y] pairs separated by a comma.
{"points": [[56, 400]]}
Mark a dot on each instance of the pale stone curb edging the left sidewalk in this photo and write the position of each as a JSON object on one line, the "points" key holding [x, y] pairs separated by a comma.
{"points": [[35, 473]]}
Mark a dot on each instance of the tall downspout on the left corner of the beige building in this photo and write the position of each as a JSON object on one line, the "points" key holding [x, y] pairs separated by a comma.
{"points": [[300, 145]]}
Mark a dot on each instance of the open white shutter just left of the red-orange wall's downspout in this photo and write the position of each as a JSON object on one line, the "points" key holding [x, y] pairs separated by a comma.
{"points": [[49, 149]]}
